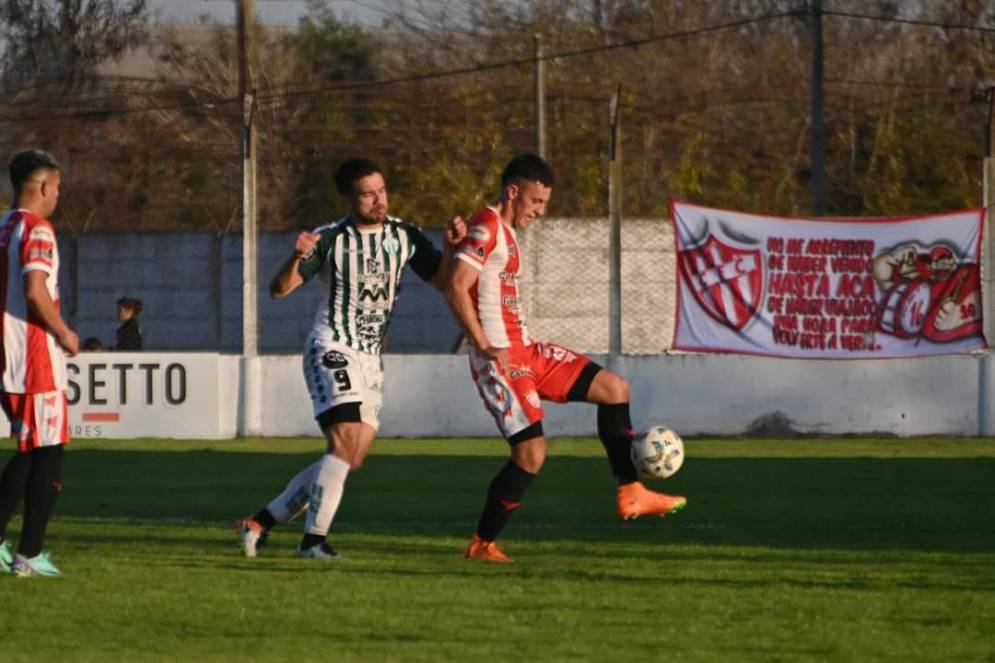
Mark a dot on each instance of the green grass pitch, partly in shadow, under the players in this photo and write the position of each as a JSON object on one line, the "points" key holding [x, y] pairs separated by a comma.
{"points": [[794, 550]]}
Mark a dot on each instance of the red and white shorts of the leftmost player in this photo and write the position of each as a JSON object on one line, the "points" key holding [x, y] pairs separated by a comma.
{"points": [[37, 420]]}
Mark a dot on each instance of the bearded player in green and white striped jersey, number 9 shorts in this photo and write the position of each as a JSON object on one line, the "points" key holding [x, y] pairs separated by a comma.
{"points": [[362, 256]]}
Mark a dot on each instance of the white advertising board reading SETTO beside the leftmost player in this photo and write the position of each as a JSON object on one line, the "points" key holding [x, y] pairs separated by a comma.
{"points": [[151, 394]]}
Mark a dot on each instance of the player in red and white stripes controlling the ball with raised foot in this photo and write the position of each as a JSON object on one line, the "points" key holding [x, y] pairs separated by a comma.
{"points": [[513, 372]]}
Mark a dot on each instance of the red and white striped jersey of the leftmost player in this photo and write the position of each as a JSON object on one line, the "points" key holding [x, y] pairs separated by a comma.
{"points": [[33, 361]]}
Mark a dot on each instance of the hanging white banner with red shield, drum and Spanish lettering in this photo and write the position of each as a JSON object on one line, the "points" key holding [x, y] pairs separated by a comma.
{"points": [[840, 288]]}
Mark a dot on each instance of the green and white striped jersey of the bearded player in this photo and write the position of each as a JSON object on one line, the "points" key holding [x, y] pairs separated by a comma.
{"points": [[363, 271]]}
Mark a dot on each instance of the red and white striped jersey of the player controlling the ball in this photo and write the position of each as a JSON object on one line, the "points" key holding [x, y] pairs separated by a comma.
{"points": [[490, 246]]}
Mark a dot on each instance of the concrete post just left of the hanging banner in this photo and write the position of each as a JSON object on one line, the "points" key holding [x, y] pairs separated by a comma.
{"points": [[615, 225]]}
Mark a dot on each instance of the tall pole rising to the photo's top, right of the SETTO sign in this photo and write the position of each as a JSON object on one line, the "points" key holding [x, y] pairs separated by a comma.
{"points": [[250, 416]]}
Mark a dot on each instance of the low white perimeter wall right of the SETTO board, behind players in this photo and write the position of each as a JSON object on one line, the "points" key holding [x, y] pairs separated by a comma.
{"points": [[432, 395]]}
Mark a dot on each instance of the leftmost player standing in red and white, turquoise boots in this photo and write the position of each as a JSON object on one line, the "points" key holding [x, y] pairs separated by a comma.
{"points": [[35, 342]]}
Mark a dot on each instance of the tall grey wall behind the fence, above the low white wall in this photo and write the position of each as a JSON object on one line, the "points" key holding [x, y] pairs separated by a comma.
{"points": [[191, 286]]}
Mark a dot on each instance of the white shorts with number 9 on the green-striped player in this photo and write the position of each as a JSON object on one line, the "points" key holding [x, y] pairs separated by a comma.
{"points": [[337, 374]]}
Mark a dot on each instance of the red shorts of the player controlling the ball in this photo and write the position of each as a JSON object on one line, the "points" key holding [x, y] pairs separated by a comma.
{"points": [[538, 372]]}
